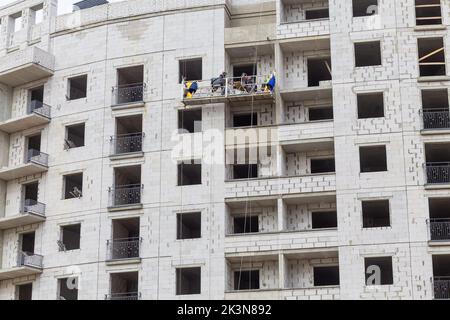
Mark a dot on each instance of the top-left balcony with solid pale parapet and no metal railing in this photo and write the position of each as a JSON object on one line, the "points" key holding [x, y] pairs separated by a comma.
{"points": [[25, 66]]}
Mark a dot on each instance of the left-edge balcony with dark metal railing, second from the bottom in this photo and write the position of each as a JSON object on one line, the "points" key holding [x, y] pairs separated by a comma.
{"points": [[32, 212]]}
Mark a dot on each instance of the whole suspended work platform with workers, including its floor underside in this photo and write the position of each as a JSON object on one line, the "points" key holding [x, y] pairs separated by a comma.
{"points": [[228, 90]]}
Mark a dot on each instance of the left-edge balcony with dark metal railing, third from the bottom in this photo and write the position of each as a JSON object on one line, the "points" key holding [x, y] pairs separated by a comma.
{"points": [[35, 162]]}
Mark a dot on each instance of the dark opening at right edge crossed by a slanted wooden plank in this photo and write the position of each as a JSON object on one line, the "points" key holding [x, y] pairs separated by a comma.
{"points": [[431, 57]]}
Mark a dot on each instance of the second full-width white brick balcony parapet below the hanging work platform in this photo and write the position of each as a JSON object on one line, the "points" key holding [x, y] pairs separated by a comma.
{"points": [[276, 186]]}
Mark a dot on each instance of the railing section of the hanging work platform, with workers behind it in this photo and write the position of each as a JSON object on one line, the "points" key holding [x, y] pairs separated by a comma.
{"points": [[226, 87]]}
